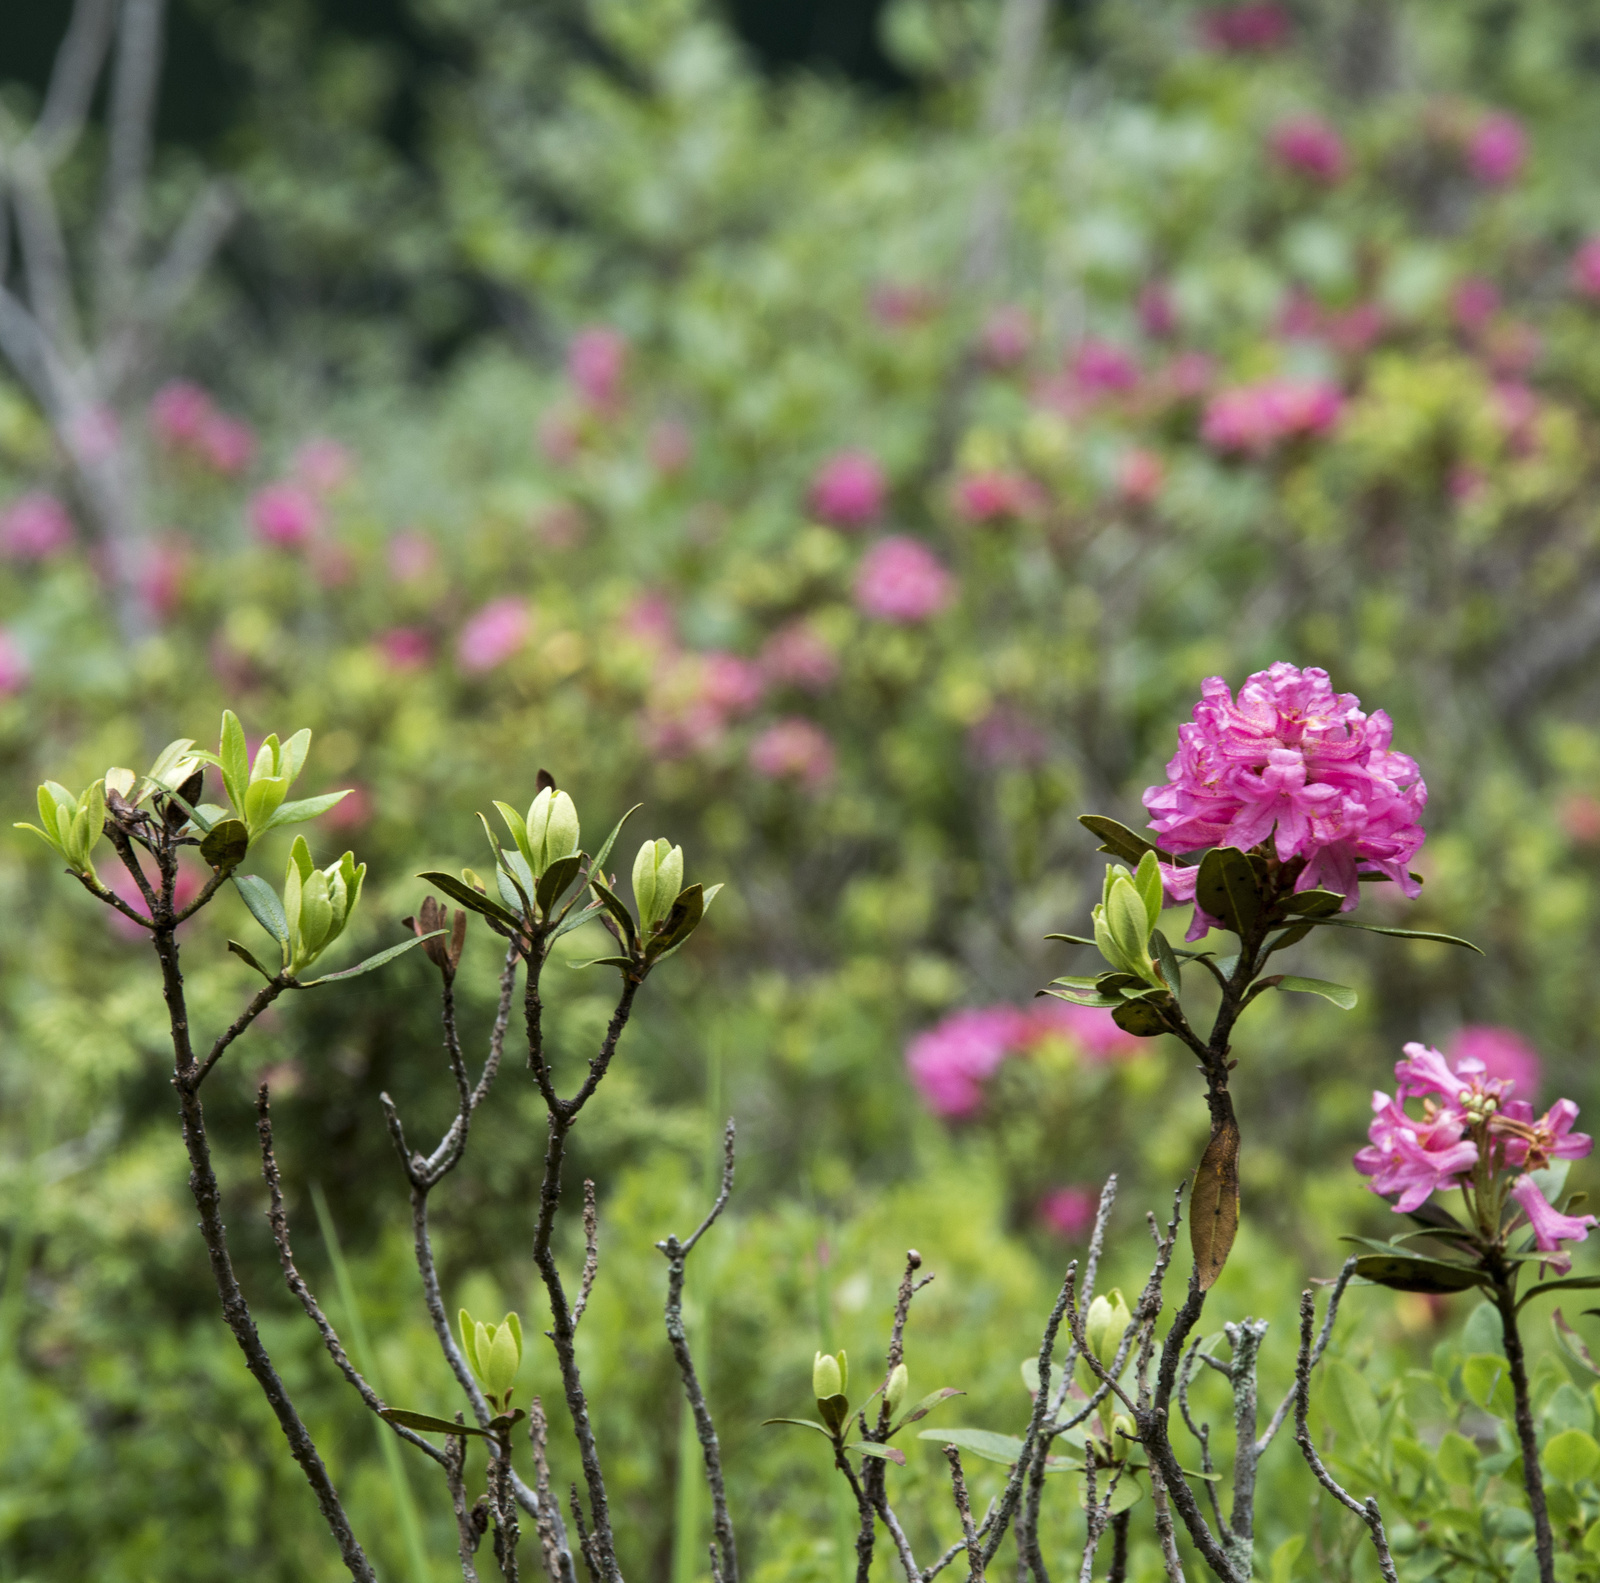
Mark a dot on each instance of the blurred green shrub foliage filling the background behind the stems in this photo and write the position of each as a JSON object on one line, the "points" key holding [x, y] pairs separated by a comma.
{"points": [[796, 270]]}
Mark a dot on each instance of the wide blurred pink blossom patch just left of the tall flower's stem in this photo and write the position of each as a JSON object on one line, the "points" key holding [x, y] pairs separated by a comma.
{"points": [[953, 1060]]}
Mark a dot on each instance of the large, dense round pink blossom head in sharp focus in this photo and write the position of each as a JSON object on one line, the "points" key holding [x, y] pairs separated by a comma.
{"points": [[1298, 763]]}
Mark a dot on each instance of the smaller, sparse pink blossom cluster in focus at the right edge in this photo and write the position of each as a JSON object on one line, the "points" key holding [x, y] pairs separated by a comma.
{"points": [[1415, 1158]]}
